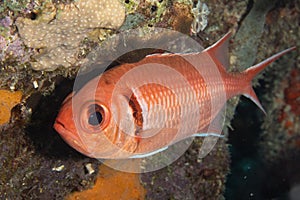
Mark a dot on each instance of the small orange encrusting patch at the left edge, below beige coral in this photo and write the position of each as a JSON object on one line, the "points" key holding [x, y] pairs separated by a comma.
{"points": [[7, 101]]}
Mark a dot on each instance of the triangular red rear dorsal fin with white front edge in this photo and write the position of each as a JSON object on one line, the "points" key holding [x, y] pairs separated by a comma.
{"points": [[219, 50]]}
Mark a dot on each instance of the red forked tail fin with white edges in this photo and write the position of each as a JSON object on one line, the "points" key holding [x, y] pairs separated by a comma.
{"points": [[251, 72]]}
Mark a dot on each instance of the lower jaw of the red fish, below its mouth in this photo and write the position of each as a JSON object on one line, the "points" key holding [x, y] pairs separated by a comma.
{"points": [[70, 138]]}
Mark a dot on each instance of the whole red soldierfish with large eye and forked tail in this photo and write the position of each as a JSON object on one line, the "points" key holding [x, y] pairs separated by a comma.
{"points": [[138, 109]]}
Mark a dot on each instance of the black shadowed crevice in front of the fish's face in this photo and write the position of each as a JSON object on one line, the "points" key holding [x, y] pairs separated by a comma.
{"points": [[45, 139]]}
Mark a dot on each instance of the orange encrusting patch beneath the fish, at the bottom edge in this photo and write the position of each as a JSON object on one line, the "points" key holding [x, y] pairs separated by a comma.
{"points": [[111, 184]]}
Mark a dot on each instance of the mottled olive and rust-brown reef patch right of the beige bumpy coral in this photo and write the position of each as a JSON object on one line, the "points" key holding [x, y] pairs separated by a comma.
{"points": [[165, 14]]}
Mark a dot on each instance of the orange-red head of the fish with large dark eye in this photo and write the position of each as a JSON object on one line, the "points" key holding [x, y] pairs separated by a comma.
{"points": [[85, 121]]}
